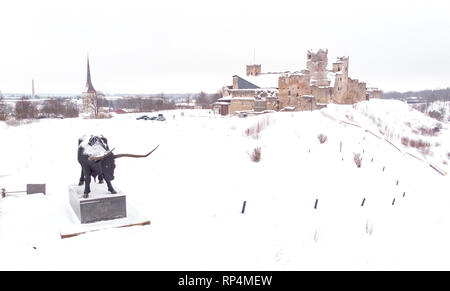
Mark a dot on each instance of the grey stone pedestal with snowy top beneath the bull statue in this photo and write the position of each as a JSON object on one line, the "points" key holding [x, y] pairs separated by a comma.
{"points": [[101, 205]]}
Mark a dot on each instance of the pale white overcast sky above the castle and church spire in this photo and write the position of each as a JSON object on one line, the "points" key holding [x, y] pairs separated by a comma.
{"points": [[176, 46]]}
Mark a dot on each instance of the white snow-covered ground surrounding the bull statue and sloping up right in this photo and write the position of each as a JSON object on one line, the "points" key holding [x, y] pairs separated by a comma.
{"points": [[193, 188]]}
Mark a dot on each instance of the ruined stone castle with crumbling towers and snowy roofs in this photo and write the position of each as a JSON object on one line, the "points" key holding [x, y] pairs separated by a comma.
{"points": [[309, 89]]}
